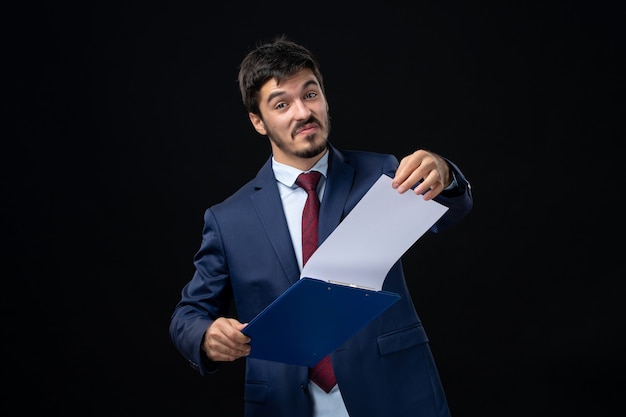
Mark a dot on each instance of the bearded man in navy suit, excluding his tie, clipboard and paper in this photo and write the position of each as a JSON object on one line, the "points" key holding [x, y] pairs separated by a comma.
{"points": [[251, 253]]}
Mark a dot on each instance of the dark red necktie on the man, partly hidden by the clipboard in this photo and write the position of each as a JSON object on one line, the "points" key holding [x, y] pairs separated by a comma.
{"points": [[322, 373]]}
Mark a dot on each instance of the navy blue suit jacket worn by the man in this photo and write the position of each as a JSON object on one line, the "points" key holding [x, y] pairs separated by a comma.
{"points": [[246, 252]]}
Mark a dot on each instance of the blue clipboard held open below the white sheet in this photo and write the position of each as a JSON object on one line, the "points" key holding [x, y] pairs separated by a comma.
{"points": [[312, 319]]}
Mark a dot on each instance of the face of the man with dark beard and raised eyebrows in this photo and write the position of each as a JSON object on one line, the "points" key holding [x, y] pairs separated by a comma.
{"points": [[294, 118]]}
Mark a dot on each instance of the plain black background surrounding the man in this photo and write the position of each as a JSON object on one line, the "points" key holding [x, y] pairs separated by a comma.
{"points": [[125, 123]]}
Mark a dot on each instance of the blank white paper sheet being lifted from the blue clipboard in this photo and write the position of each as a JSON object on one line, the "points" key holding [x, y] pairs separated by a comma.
{"points": [[373, 236]]}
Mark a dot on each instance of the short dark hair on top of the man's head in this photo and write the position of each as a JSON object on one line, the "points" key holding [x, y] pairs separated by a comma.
{"points": [[277, 59]]}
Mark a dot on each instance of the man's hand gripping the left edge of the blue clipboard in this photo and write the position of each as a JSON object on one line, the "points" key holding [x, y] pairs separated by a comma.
{"points": [[224, 341]]}
